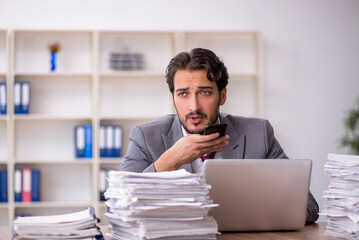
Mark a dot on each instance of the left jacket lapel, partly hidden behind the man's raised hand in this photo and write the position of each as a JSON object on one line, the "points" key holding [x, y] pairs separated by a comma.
{"points": [[172, 137]]}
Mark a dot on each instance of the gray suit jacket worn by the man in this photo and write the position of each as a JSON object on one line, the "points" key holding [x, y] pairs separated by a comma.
{"points": [[250, 138]]}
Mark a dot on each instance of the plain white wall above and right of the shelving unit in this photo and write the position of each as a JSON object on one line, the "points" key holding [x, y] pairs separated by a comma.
{"points": [[311, 53]]}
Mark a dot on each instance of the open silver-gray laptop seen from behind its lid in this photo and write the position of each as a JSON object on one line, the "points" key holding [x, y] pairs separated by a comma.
{"points": [[259, 194]]}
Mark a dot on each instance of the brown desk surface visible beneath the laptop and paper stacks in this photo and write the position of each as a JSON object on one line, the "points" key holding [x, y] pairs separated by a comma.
{"points": [[310, 232]]}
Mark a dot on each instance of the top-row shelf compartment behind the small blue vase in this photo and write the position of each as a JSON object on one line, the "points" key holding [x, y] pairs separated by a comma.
{"points": [[75, 55]]}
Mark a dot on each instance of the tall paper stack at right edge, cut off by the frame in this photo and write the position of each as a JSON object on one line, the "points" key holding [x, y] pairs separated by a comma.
{"points": [[342, 197]]}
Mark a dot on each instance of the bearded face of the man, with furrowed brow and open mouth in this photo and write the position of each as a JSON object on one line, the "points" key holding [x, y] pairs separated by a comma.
{"points": [[196, 100]]}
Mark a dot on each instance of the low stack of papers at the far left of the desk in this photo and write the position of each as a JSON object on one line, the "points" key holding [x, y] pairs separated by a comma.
{"points": [[77, 225]]}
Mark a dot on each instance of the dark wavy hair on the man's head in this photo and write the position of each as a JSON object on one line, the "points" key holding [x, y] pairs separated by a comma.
{"points": [[198, 59]]}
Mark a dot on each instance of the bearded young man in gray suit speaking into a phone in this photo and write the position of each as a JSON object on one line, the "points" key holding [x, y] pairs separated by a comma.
{"points": [[197, 81]]}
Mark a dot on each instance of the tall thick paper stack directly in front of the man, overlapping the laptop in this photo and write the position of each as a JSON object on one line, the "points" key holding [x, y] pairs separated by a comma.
{"points": [[164, 205]]}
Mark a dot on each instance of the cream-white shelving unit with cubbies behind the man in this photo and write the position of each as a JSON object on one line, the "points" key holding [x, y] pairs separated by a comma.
{"points": [[85, 90]]}
